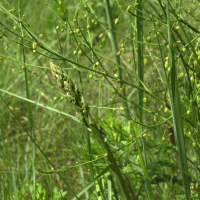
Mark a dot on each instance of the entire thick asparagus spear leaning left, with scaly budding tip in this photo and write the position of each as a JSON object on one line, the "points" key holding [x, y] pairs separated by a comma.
{"points": [[74, 95]]}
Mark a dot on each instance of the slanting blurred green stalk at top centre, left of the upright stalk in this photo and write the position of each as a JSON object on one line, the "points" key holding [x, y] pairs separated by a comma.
{"points": [[115, 50]]}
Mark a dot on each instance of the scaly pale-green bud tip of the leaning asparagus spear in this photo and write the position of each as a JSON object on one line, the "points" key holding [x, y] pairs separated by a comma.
{"points": [[73, 93]]}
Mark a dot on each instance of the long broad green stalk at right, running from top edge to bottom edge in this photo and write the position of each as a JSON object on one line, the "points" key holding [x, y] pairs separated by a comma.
{"points": [[176, 111]]}
